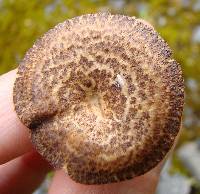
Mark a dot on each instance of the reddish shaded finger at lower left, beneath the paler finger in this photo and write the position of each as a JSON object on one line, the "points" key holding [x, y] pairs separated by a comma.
{"points": [[23, 174]]}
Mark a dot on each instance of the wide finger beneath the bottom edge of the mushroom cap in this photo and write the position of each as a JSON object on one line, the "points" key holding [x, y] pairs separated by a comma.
{"points": [[145, 184]]}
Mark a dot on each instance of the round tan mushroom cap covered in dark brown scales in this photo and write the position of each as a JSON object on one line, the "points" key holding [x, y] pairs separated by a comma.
{"points": [[102, 97]]}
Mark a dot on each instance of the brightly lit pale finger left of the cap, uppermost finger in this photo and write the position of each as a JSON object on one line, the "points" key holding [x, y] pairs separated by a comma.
{"points": [[14, 136]]}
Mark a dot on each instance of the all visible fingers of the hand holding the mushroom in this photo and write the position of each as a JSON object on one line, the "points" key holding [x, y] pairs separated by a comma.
{"points": [[22, 169]]}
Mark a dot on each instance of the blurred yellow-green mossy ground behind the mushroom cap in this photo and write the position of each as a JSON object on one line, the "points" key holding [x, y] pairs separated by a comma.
{"points": [[178, 21]]}
